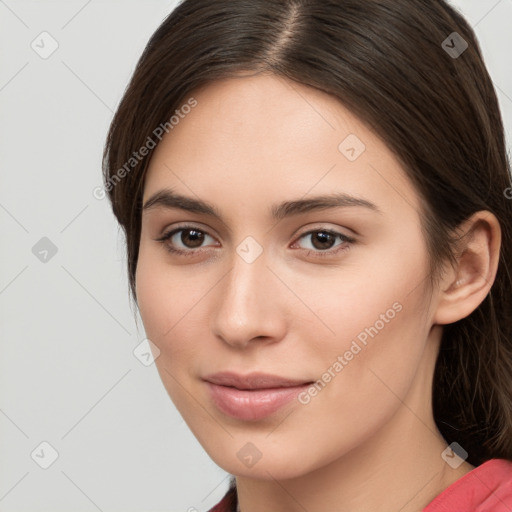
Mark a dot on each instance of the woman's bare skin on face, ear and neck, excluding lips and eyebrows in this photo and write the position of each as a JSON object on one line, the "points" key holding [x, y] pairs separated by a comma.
{"points": [[368, 440]]}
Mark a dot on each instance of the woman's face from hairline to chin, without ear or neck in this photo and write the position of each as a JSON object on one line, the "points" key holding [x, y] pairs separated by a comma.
{"points": [[291, 272]]}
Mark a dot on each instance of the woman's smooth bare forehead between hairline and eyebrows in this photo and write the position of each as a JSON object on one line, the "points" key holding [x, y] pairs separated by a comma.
{"points": [[267, 137]]}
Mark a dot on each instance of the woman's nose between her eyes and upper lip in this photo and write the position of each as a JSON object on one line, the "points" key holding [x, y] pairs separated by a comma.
{"points": [[250, 304]]}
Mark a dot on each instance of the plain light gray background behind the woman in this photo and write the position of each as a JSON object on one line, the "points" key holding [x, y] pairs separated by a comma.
{"points": [[68, 375]]}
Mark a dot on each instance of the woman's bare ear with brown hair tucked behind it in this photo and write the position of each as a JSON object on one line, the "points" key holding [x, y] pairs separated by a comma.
{"points": [[465, 287]]}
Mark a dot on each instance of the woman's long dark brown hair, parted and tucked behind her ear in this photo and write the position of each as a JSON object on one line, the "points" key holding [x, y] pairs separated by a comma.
{"points": [[384, 60]]}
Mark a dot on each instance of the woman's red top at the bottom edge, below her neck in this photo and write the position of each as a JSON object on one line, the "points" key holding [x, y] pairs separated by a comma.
{"points": [[487, 488]]}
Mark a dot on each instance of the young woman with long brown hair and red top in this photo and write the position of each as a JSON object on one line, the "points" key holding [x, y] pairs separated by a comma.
{"points": [[314, 195]]}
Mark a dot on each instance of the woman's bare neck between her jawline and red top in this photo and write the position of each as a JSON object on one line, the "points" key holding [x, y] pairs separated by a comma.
{"points": [[398, 474]]}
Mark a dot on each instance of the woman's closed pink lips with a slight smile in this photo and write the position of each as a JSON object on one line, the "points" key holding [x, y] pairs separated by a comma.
{"points": [[254, 396]]}
